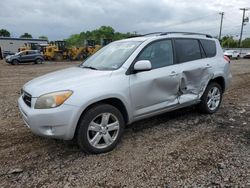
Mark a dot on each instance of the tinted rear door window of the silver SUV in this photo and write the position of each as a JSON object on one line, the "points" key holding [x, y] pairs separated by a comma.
{"points": [[187, 50]]}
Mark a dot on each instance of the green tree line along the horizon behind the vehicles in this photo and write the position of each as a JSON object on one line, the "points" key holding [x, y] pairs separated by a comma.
{"points": [[107, 32]]}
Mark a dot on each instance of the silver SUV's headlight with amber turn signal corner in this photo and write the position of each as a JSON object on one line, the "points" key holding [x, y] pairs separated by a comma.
{"points": [[52, 100]]}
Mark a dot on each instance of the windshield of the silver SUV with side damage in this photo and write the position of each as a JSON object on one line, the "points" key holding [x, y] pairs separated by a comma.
{"points": [[112, 56]]}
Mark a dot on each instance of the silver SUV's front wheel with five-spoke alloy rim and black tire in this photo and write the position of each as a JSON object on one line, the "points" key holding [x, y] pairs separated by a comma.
{"points": [[100, 129]]}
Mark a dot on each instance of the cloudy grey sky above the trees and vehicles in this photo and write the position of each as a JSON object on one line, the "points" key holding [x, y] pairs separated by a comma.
{"points": [[58, 19]]}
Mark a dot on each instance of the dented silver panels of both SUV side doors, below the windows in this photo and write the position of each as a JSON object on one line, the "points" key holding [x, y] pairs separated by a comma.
{"points": [[168, 87]]}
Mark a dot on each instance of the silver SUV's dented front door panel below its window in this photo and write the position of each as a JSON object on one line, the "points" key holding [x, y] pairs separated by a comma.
{"points": [[149, 92]]}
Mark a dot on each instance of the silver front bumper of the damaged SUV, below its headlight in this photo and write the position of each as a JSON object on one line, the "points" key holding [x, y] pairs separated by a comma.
{"points": [[57, 122]]}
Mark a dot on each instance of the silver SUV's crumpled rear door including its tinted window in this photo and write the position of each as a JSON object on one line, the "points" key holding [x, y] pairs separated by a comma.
{"points": [[195, 69]]}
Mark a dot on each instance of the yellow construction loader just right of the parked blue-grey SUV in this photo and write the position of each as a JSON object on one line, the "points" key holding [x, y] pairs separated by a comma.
{"points": [[56, 51]]}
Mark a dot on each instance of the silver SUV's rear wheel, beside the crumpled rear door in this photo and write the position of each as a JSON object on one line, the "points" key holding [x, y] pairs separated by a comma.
{"points": [[211, 99]]}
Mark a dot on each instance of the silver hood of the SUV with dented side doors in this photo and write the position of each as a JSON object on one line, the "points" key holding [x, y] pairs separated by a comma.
{"points": [[66, 79]]}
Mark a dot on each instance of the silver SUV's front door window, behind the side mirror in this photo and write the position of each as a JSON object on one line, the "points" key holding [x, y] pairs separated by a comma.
{"points": [[159, 53]]}
